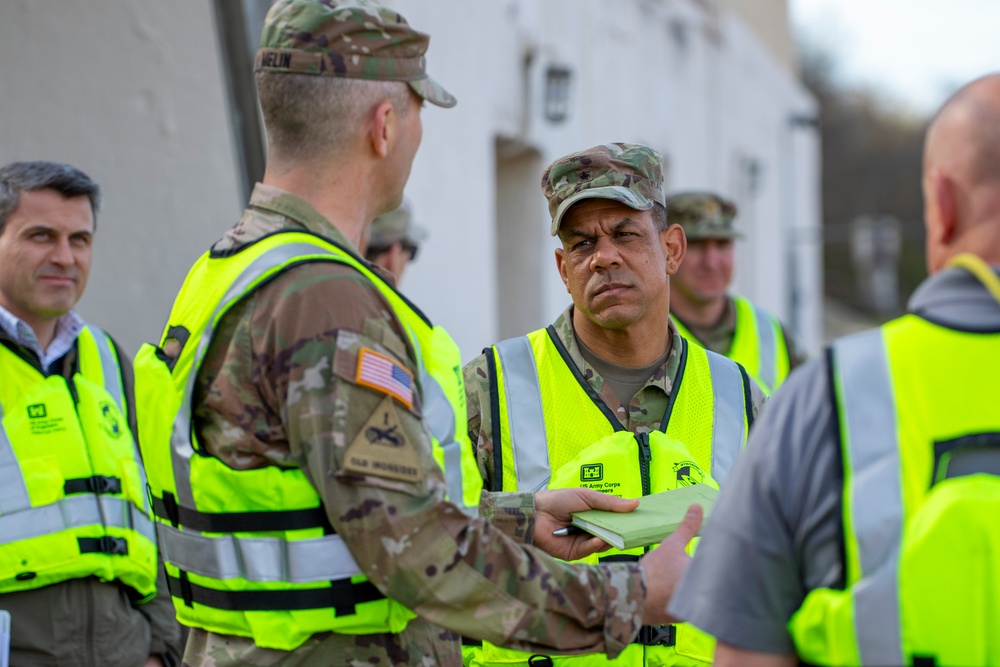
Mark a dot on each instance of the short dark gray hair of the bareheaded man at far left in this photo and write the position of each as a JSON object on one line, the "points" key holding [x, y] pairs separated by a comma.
{"points": [[67, 180]]}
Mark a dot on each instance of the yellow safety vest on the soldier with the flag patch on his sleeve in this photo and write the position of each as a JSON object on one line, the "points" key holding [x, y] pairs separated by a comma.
{"points": [[251, 552]]}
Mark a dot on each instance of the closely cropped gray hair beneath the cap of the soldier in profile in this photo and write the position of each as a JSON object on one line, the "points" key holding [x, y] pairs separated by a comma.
{"points": [[308, 116]]}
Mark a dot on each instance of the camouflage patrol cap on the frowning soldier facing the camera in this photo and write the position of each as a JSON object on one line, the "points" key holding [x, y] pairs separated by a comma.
{"points": [[629, 173]]}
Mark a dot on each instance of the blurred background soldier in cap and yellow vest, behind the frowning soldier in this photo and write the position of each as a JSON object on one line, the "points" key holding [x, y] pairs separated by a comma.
{"points": [[703, 310]]}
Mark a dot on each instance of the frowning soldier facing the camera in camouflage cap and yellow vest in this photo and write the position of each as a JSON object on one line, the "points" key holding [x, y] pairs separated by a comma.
{"points": [[613, 352]]}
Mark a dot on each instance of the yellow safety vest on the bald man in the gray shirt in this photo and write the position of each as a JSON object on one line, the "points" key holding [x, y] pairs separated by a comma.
{"points": [[921, 535]]}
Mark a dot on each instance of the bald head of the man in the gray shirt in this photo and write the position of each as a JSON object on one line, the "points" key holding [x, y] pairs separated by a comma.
{"points": [[962, 175]]}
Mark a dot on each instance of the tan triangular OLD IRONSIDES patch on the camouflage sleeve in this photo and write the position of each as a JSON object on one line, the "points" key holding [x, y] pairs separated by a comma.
{"points": [[383, 449]]}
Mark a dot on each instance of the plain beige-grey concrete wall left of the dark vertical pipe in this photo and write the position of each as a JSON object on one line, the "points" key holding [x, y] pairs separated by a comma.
{"points": [[132, 93]]}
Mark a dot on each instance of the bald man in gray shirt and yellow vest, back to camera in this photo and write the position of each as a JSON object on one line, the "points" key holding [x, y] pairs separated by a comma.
{"points": [[863, 516]]}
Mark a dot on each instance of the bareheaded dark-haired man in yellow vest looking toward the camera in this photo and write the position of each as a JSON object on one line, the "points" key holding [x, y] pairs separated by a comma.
{"points": [[78, 562]]}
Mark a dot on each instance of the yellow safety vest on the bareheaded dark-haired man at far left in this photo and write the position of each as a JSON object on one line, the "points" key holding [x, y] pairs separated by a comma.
{"points": [[72, 489]]}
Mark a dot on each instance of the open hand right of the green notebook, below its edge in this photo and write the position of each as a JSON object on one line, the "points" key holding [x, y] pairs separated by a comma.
{"points": [[664, 566]]}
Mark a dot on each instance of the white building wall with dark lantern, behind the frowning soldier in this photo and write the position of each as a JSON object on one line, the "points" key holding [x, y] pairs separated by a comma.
{"points": [[697, 86]]}
